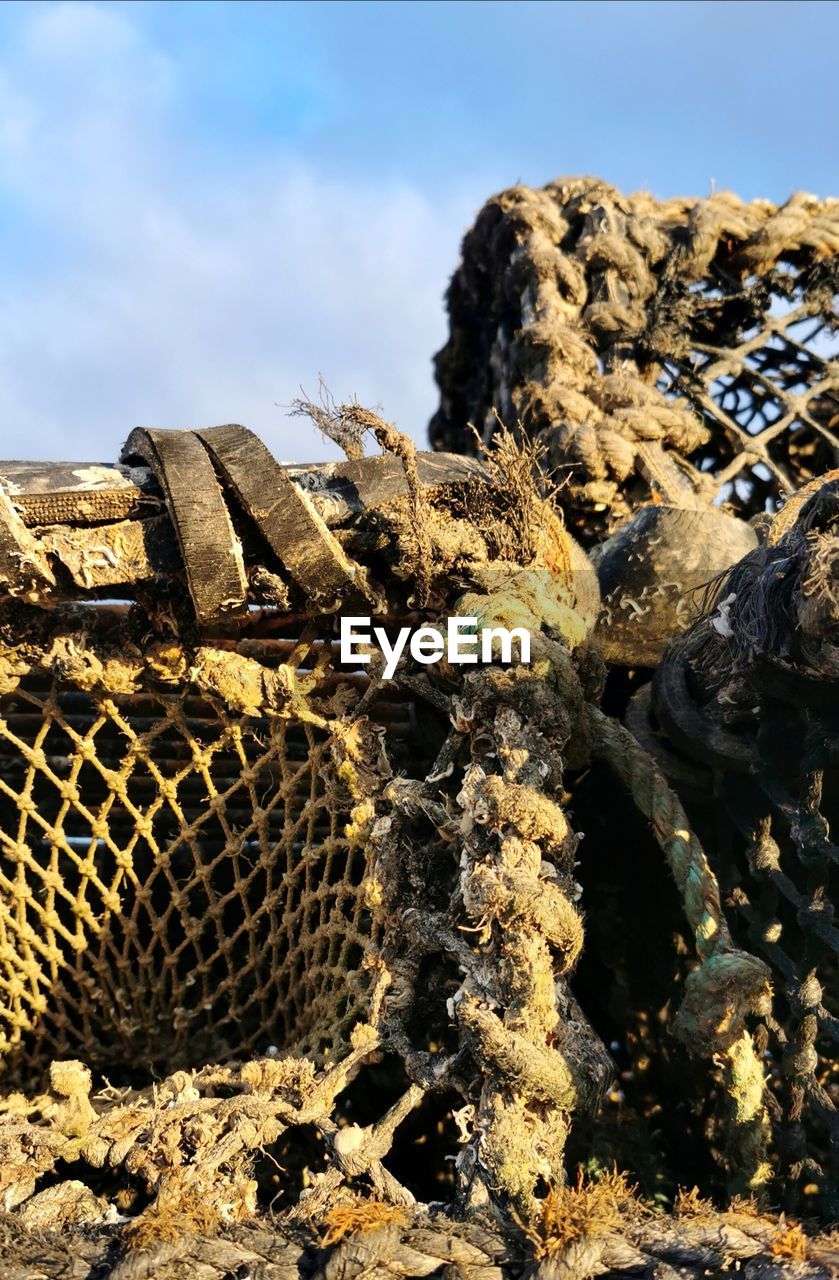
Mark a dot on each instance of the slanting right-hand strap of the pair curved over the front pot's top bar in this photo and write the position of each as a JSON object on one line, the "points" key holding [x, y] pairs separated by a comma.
{"points": [[282, 513]]}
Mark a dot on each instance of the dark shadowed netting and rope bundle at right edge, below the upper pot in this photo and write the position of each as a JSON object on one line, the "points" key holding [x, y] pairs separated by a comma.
{"points": [[744, 717]]}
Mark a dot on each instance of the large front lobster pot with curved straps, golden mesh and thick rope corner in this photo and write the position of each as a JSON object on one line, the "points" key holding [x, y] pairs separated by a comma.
{"points": [[282, 936]]}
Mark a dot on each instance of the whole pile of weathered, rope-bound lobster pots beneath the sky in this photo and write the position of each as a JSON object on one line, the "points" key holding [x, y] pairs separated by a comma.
{"points": [[305, 970]]}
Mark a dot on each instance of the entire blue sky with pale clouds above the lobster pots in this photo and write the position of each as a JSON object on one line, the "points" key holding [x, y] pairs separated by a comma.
{"points": [[204, 207]]}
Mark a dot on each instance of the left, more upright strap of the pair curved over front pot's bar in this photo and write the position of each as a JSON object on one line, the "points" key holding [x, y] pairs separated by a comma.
{"points": [[212, 552]]}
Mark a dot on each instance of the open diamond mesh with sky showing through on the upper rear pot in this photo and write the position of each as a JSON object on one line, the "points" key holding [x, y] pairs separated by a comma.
{"points": [[762, 371]]}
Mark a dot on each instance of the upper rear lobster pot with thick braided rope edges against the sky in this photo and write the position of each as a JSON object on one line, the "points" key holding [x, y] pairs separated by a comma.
{"points": [[683, 350]]}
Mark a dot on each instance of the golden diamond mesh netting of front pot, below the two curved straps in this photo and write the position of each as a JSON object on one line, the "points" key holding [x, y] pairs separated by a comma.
{"points": [[177, 881]]}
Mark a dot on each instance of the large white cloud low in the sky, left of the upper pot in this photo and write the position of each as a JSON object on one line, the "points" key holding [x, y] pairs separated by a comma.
{"points": [[177, 292]]}
